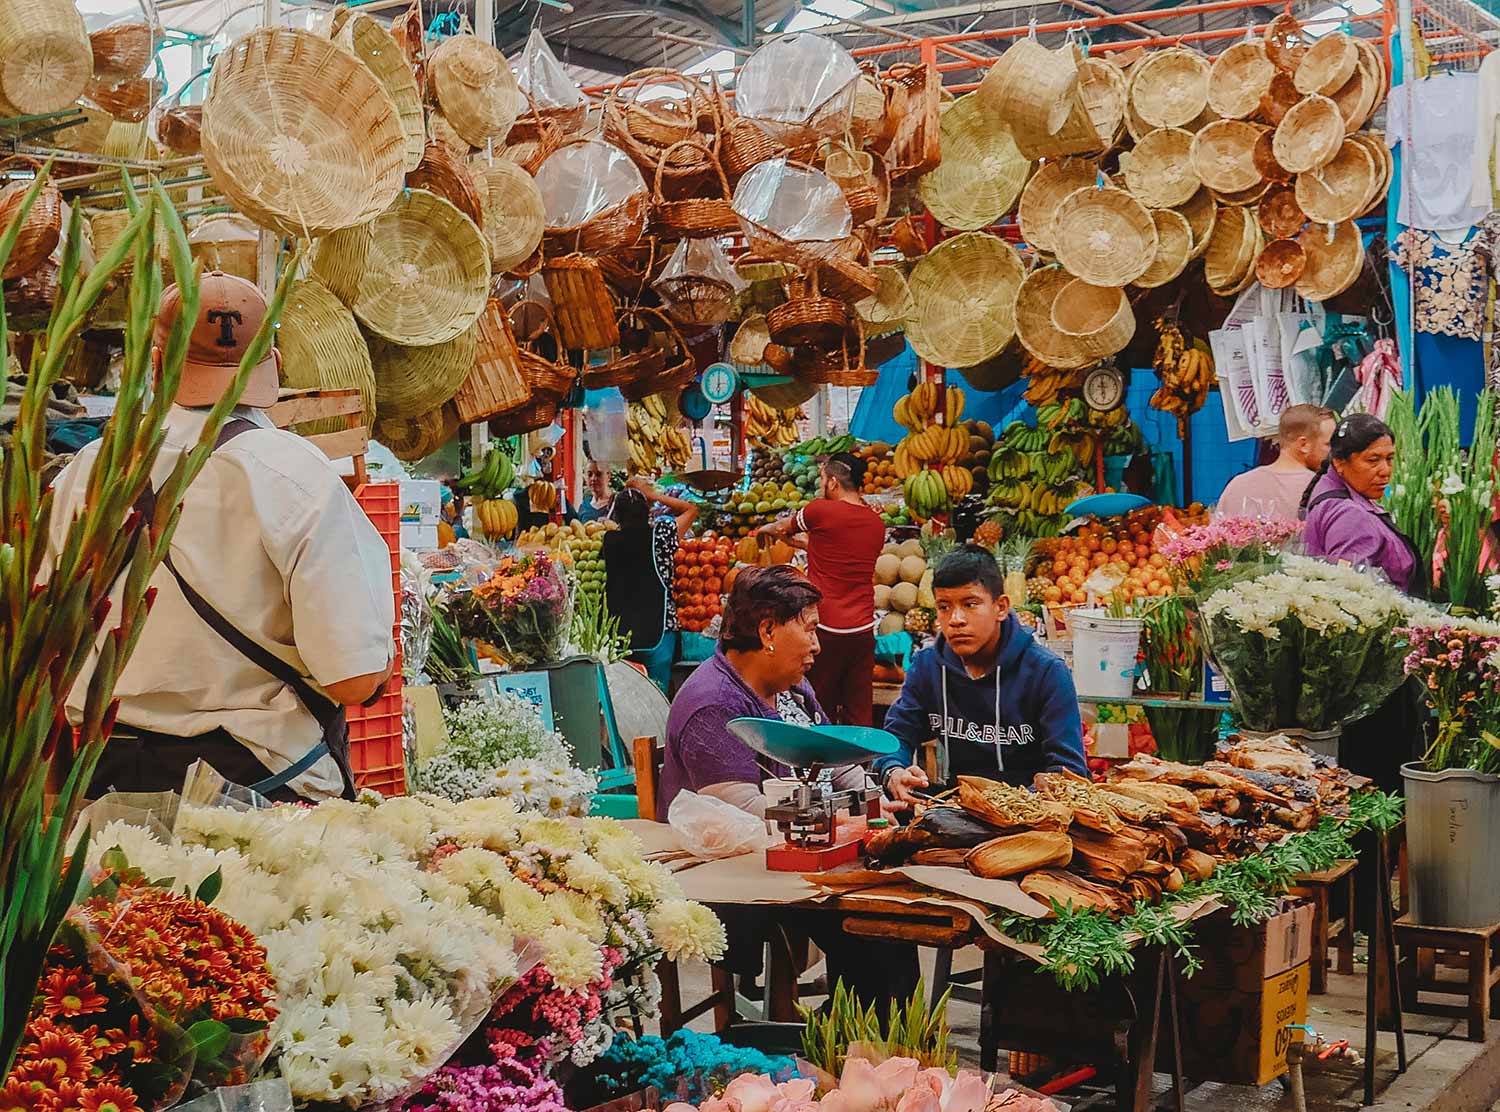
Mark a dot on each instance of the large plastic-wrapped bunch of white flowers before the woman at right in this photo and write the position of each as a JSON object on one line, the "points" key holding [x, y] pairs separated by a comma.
{"points": [[1309, 648]]}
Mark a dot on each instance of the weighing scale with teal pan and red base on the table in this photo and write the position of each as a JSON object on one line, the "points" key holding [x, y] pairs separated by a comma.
{"points": [[821, 828]]}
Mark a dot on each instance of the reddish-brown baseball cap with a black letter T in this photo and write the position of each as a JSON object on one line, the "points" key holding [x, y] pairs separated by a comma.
{"points": [[230, 313]]}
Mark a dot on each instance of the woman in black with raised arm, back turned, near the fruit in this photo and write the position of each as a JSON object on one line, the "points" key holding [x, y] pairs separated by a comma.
{"points": [[638, 574]]}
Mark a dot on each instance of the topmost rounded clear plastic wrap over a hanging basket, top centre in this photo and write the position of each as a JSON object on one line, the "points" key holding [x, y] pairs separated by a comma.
{"points": [[799, 85]]}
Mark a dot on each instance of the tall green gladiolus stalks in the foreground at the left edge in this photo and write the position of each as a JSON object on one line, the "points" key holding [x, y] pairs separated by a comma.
{"points": [[56, 609]]}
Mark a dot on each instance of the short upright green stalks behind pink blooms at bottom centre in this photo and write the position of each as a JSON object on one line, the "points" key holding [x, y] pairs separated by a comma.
{"points": [[913, 1030]]}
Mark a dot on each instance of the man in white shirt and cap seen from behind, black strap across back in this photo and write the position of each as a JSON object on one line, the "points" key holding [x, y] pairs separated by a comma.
{"points": [[274, 610]]}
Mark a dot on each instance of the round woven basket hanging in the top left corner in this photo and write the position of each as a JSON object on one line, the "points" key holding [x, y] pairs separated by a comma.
{"points": [[46, 59]]}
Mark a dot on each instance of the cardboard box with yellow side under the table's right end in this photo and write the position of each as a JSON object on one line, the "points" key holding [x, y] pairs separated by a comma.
{"points": [[1252, 988]]}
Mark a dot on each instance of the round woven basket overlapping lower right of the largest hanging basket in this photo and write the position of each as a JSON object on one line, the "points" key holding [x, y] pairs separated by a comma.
{"points": [[428, 274]]}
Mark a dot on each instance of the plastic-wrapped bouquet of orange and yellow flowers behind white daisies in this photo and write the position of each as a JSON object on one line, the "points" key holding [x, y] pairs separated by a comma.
{"points": [[524, 609]]}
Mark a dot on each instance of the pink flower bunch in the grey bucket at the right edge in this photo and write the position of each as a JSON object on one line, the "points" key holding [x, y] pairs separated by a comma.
{"points": [[1459, 663]]}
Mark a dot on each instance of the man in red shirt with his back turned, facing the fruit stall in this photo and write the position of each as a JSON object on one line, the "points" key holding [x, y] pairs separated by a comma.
{"points": [[844, 539]]}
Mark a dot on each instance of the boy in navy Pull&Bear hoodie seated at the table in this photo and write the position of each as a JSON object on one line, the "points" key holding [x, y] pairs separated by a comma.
{"points": [[1000, 705]]}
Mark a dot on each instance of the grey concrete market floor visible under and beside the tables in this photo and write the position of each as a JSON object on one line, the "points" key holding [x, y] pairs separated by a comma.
{"points": [[1447, 1074]]}
